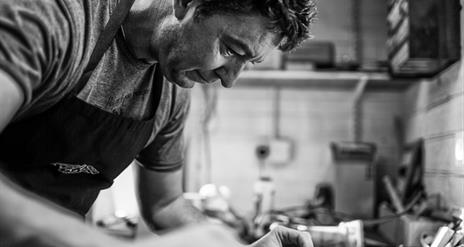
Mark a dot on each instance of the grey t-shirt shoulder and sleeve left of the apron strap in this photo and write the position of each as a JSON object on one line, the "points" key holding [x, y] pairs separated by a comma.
{"points": [[44, 45]]}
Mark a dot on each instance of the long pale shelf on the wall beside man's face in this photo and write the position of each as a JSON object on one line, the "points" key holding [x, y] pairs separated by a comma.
{"points": [[313, 79]]}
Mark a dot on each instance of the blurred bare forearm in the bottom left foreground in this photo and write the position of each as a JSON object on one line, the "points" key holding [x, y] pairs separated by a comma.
{"points": [[26, 220]]}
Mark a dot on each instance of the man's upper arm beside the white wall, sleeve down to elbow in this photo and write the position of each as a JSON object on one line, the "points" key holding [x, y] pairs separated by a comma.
{"points": [[160, 172]]}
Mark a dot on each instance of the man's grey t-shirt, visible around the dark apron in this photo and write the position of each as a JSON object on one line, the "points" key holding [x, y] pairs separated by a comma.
{"points": [[45, 45]]}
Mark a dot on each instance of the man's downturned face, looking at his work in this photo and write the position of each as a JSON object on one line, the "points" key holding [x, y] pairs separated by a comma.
{"points": [[215, 48]]}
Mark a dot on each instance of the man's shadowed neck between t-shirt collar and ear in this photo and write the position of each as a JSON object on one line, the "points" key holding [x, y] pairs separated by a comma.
{"points": [[143, 26]]}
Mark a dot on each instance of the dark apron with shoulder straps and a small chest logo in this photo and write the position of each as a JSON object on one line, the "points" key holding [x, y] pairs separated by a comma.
{"points": [[73, 150]]}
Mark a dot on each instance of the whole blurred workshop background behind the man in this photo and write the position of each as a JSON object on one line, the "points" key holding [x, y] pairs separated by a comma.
{"points": [[356, 136]]}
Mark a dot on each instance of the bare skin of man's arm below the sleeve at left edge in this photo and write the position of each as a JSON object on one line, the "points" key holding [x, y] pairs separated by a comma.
{"points": [[11, 99]]}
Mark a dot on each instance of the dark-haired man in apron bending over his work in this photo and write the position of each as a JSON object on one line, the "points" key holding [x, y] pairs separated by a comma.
{"points": [[82, 94]]}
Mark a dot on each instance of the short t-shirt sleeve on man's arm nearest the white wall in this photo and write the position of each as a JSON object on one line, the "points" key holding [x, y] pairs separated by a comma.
{"points": [[166, 152]]}
